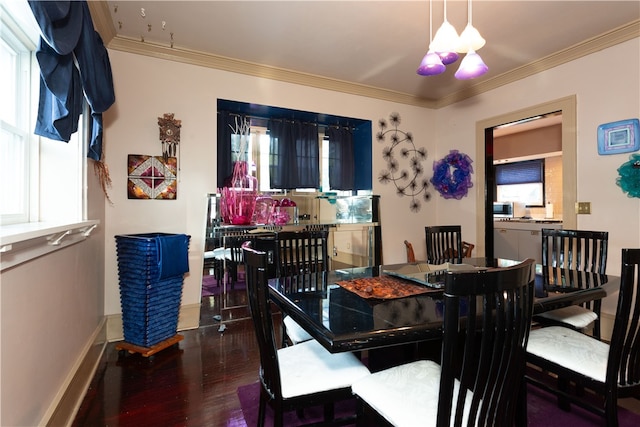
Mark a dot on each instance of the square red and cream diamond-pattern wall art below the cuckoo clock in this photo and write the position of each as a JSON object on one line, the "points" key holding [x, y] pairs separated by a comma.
{"points": [[152, 177]]}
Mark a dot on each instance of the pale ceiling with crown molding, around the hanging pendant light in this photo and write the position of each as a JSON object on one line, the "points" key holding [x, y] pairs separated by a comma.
{"points": [[373, 46]]}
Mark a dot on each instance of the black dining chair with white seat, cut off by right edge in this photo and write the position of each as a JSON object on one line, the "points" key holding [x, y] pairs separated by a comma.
{"points": [[564, 356]]}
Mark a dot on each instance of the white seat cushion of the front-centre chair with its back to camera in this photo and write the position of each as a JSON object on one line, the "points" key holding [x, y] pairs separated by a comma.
{"points": [[406, 395]]}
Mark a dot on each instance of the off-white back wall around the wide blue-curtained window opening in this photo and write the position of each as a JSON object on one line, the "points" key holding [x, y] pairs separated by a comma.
{"points": [[146, 88]]}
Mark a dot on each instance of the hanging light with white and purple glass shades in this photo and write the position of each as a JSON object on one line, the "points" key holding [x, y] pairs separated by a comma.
{"points": [[445, 47]]}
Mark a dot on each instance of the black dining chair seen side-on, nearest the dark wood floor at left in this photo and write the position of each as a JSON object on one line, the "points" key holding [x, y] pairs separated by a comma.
{"points": [[298, 376]]}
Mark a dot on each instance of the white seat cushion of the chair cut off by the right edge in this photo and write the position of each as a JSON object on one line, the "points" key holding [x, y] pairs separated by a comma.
{"points": [[571, 349]]}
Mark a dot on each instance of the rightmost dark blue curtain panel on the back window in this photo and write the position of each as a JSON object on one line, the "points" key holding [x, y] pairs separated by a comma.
{"points": [[341, 158]]}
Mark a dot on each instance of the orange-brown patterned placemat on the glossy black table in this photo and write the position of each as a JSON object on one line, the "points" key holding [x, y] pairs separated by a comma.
{"points": [[384, 287]]}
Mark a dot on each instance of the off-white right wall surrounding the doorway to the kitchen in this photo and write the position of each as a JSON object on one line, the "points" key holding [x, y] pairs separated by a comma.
{"points": [[607, 88]]}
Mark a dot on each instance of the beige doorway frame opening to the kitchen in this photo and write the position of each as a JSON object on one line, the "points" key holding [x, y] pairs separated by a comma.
{"points": [[484, 187]]}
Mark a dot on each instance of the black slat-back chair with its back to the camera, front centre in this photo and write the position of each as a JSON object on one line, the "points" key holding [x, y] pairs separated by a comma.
{"points": [[487, 318]]}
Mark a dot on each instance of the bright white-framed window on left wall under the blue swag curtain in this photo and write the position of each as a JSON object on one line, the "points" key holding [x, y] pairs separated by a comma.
{"points": [[40, 180]]}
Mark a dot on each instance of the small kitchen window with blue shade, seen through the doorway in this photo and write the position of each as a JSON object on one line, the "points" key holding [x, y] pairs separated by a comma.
{"points": [[521, 182]]}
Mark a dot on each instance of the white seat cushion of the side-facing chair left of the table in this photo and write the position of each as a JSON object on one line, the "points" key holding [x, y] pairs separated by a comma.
{"points": [[309, 368]]}
